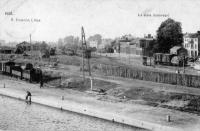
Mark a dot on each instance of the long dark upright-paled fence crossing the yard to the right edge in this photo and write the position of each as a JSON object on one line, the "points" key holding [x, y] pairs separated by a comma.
{"points": [[154, 76]]}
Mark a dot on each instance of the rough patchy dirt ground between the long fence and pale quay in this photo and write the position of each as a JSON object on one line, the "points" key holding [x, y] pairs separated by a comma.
{"points": [[145, 93]]}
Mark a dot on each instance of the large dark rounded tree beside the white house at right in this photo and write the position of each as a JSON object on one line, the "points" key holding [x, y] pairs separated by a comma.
{"points": [[169, 34]]}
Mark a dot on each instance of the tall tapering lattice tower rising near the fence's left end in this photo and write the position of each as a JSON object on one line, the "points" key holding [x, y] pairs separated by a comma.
{"points": [[84, 51]]}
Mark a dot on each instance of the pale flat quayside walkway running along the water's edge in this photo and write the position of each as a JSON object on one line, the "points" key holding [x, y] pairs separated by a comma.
{"points": [[143, 116]]}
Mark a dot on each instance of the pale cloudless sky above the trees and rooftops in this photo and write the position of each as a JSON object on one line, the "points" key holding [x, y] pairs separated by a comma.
{"points": [[49, 20]]}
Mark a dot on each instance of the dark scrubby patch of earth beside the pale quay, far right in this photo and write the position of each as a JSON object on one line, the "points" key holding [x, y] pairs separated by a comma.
{"points": [[178, 101]]}
